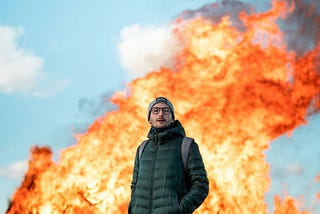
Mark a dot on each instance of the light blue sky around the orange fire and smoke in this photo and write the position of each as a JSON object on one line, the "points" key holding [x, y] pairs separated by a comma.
{"points": [[64, 65]]}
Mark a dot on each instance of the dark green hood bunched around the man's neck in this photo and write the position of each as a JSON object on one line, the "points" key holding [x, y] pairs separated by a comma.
{"points": [[172, 131]]}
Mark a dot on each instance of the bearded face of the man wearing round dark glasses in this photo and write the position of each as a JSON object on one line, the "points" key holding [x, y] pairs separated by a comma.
{"points": [[160, 116]]}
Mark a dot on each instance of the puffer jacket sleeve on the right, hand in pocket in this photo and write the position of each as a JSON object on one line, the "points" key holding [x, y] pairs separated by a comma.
{"points": [[197, 181]]}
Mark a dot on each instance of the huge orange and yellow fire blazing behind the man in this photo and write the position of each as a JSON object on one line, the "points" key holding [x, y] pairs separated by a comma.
{"points": [[233, 90]]}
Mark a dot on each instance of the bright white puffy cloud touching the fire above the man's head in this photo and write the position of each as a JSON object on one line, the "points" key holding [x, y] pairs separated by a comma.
{"points": [[146, 49]]}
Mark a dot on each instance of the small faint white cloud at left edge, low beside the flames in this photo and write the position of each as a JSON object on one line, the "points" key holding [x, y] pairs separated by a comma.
{"points": [[15, 170]]}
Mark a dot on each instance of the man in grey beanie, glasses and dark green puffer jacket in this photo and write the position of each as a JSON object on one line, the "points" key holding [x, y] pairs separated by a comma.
{"points": [[161, 184]]}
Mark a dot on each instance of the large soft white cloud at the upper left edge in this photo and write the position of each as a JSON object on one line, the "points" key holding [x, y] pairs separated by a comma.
{"points": [[20, 70]]}
